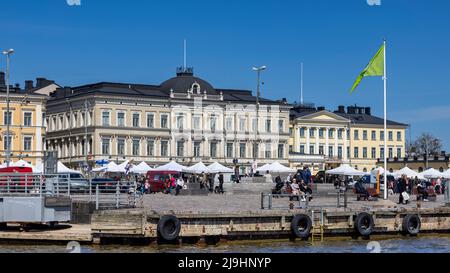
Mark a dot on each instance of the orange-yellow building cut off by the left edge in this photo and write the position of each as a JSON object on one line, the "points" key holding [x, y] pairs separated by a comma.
{"points": [[26, 119]]}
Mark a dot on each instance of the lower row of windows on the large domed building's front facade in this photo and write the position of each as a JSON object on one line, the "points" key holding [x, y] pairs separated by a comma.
{"points": [[180, 149]]}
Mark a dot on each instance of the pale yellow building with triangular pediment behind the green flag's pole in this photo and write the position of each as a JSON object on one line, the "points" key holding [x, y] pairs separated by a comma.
{"points": [[323, 139]]}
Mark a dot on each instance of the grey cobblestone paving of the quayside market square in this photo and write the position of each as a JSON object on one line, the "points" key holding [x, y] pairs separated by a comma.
{"points": [[215, 203]]}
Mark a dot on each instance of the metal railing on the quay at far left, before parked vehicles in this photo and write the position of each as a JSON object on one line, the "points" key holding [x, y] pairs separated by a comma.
{"points": [[106, 195]]}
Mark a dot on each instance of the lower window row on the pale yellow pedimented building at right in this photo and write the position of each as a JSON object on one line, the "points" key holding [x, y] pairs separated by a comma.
{"points": [[356, 151]]}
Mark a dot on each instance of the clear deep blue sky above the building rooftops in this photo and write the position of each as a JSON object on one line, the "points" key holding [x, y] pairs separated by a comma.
{"points": [[141, 41]]}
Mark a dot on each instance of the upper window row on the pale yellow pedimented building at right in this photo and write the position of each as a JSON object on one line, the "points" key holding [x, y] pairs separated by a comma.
{"points": [[322, 133]]}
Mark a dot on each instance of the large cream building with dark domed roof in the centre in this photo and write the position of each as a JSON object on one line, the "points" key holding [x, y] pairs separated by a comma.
{"points": [[184, 119]]}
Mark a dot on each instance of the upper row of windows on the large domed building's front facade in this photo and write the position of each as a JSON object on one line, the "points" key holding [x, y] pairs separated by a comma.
{"points": [[180, 122]]}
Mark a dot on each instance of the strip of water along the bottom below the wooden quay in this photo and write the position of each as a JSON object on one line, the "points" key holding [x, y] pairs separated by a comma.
{"points": [[423, 244]]}
